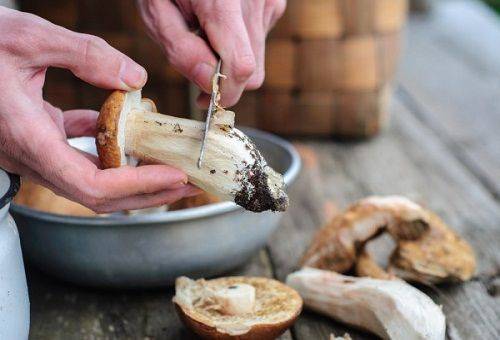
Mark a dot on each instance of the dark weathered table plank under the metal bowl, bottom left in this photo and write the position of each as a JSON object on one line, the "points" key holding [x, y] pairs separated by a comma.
{"points": [[66, 312]]}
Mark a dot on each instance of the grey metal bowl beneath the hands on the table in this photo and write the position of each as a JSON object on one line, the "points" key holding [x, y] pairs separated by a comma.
{"points": [[152, 249]]}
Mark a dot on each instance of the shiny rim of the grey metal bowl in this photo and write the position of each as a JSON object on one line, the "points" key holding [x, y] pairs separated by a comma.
{"points": [[171, 216]]}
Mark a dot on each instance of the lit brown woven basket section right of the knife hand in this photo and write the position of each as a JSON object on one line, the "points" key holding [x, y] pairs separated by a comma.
{"points": [[329, 66]]}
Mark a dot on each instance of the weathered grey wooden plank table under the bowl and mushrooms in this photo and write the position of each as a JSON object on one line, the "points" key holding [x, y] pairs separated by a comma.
{"points": [[442, 149]]}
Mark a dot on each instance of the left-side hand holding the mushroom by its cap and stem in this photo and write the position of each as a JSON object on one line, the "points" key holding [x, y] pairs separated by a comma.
{"points": [[33, 133]]}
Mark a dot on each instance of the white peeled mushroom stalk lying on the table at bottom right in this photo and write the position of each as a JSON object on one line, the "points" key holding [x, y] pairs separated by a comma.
{"points": [[392, 309]]}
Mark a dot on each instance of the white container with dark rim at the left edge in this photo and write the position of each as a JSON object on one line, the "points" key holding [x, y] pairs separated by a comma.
{"points": [[14, 301]]}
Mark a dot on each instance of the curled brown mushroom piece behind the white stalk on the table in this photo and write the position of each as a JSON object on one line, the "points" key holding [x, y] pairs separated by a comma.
{"points": [[427, 250]]}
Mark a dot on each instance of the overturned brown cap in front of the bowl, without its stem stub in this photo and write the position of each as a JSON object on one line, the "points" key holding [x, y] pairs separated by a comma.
{"points": [[277, 306]]}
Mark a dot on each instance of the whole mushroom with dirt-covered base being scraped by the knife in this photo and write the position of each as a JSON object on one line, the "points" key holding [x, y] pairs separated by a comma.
{"points": [[233, 169]]}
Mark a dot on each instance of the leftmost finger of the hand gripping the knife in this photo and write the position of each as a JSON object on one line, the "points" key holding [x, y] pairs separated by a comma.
{"points": [[185, 50]]}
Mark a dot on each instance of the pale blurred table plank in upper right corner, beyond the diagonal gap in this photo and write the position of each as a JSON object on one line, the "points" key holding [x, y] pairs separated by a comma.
{"points": [[451, 73]]}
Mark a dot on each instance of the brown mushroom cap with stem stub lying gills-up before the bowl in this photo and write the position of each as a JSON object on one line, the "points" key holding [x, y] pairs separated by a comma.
{"points": [[236, 307]]}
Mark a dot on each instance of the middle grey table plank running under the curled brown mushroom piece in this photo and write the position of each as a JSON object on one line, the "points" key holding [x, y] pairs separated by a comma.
{"points": [[408, 159]]}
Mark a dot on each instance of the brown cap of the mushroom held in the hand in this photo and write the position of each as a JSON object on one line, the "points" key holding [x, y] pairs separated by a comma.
{"points": [[110, 138]]}
